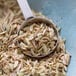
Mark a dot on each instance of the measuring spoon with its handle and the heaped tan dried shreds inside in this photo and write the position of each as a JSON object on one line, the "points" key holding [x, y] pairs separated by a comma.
{"points": [[38, 36]]}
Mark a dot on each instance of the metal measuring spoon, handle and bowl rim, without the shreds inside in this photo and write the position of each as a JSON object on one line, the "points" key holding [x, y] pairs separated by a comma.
{"points": [[30, 19]]}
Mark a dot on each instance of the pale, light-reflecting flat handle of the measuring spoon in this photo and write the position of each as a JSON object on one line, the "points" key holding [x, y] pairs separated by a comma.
{"points": [[25, 8]]}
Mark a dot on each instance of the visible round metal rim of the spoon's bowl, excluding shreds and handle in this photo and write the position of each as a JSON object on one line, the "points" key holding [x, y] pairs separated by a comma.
{"points": [[39, 20]]}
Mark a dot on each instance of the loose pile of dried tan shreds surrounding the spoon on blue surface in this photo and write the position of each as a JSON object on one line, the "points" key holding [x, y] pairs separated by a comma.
{"points": [[12, 61]]}
